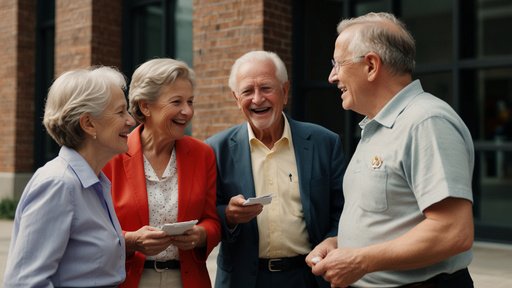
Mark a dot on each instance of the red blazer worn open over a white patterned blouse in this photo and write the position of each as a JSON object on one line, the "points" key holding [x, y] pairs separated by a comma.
{"points": [[196, 200]]}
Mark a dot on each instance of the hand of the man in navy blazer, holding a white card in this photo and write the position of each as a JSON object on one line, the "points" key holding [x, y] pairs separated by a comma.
{"points": [[237, 213]]}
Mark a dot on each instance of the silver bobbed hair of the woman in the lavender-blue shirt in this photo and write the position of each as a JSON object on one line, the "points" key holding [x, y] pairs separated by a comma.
{"points": [[75, 93]]}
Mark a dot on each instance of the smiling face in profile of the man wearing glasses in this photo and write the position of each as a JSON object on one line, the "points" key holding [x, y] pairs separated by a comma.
{"points": [[348, 74]]}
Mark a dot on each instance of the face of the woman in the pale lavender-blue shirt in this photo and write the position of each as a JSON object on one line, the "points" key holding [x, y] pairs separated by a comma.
{"points": [[113, 126]]}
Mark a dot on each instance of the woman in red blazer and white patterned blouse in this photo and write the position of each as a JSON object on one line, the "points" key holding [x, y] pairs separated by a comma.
{"points": [[165, 177]]}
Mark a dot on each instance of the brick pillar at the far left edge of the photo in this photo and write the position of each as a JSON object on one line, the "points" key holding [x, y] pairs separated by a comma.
{"points": [[17, 43]]}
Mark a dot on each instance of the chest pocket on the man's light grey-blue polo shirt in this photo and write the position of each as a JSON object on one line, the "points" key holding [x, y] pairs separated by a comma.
{"points": [[371, 188]]}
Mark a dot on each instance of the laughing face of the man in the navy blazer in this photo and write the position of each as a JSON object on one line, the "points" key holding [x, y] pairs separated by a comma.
{"points": [[260, 95]]}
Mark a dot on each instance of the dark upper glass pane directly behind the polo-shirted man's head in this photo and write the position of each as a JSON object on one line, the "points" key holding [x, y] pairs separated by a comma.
{"points": [[430, 23]]}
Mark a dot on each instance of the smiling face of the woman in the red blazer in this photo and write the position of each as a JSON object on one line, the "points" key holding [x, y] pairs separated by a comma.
{"points": [[172, 111]]}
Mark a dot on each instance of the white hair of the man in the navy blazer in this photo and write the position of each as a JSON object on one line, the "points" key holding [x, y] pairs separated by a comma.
{"points": [[281, 73]]}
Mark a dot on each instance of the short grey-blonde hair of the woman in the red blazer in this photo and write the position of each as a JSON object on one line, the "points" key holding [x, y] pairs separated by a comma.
{"points": [[150, 77]]}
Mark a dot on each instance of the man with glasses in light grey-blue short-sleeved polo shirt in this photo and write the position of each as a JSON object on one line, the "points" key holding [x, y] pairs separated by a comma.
{"points": [[407, 218]]}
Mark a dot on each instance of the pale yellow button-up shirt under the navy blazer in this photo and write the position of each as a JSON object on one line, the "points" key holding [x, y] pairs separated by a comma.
{"points": [[281, 225]]}
